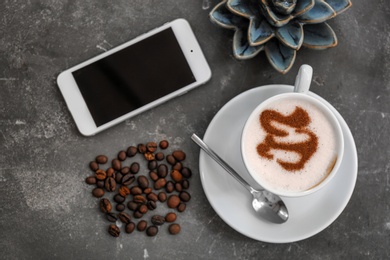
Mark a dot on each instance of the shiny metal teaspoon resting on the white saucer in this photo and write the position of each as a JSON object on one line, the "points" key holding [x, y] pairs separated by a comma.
{"points": [[267, 205]]}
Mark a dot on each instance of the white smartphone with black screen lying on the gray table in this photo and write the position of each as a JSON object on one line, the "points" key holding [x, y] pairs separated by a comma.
{"points": [[140, 74]]}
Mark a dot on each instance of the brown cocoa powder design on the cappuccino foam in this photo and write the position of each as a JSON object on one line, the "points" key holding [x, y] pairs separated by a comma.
{"points": [[299, 120]]}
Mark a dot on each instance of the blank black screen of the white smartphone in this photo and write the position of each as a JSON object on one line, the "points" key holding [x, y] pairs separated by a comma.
{"points": [[133, 77]]}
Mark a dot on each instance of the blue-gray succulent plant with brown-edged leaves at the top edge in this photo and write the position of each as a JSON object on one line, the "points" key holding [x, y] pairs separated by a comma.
{"points": [[279, 27]]}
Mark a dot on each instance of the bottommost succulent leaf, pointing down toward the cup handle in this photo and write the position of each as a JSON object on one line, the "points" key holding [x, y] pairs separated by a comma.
{"points": [[280, 56]]}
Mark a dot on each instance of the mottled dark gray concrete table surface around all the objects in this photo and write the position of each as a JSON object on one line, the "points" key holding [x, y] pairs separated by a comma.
{"points": [[46, 209]]}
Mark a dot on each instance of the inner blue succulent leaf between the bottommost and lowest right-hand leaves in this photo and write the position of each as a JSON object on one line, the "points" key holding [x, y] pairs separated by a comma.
{"points": [[291, 35]]}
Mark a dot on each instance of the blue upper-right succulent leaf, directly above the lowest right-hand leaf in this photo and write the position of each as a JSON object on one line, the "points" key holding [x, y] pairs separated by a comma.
{"points": [[318, 14]]}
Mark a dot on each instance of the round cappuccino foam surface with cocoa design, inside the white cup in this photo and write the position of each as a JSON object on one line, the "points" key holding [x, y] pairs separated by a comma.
{"points": [[313, 147]]}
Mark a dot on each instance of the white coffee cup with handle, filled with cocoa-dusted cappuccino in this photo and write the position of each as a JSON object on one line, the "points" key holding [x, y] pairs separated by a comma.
{"points": [[292, 143]]}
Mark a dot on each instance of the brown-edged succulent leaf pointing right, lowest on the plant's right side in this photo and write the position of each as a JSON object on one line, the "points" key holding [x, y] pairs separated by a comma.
{"points": [[319, 36]]}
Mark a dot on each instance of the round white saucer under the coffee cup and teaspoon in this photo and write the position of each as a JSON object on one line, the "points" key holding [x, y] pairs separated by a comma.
{"points": [[309, 215]]}
